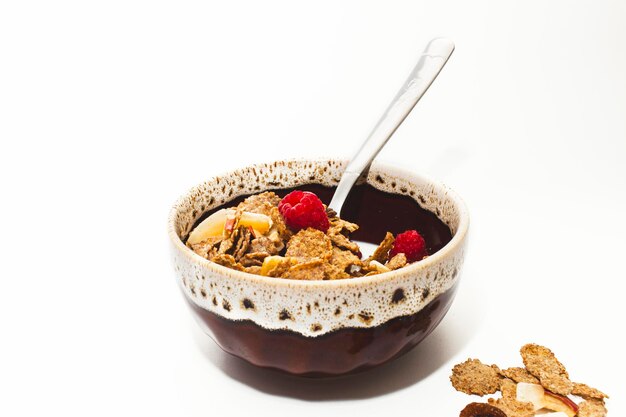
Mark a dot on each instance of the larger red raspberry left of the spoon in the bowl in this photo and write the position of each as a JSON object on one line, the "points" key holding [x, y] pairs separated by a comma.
{"points": [[302, 209]]}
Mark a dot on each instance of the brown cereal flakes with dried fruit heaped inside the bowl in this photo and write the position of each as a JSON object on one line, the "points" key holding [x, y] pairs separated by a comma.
{"points": [[254, 237]]}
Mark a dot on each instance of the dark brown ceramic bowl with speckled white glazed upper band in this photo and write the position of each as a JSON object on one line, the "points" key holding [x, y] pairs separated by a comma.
{"points": [[318, 328]]}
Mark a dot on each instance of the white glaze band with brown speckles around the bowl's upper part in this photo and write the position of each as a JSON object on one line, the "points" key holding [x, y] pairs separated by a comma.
{"points": [[314, 308]]}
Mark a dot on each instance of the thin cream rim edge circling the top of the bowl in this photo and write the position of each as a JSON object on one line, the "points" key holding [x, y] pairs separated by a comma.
{"points": [[457, 239]]}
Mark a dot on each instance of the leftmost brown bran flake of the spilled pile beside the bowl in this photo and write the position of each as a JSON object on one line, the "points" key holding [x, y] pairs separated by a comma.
{"points": [[474, 377]]}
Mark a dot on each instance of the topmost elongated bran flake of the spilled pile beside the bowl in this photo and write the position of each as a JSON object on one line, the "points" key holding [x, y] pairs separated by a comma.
{"points": [[541, 362]]}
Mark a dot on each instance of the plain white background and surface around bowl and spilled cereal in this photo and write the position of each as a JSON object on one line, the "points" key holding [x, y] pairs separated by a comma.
{"points": [[109, 110]]}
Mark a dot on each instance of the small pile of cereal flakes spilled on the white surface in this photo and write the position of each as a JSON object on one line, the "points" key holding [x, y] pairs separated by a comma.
{"points": [[542, 385]]}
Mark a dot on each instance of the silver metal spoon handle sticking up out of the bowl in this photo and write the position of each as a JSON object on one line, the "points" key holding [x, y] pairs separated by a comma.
{"points": [[428, 67]]}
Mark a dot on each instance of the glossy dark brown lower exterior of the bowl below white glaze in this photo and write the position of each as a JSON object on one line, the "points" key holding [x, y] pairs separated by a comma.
{"points": [[343, 351]]}
